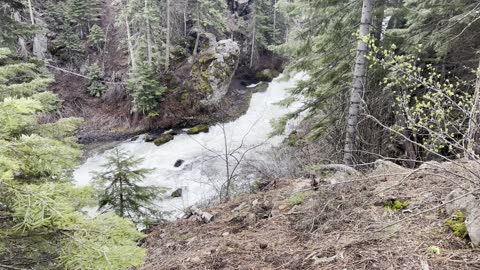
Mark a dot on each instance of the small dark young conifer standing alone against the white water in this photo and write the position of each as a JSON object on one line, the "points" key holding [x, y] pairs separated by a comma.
{"points": [[121, 192]]}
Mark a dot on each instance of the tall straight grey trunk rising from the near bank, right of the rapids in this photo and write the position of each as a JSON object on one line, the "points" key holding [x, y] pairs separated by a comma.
{"points": [[357, 90]]}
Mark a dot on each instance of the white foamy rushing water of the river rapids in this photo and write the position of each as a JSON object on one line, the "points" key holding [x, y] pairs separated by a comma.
{"points": [[202, 172]]}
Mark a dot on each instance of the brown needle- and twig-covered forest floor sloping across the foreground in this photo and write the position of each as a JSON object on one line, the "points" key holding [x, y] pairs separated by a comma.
{"points": [[342, 225]]}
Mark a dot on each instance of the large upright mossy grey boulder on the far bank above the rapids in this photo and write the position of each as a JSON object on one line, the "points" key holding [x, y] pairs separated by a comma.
{"points": [[213, 69]]}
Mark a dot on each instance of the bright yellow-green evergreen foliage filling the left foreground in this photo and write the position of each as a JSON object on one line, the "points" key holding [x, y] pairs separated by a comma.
{"points": [[42, 224]]}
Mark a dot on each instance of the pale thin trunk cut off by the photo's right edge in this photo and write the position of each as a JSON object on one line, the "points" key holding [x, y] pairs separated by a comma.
{"points": [[473, 123]]}
